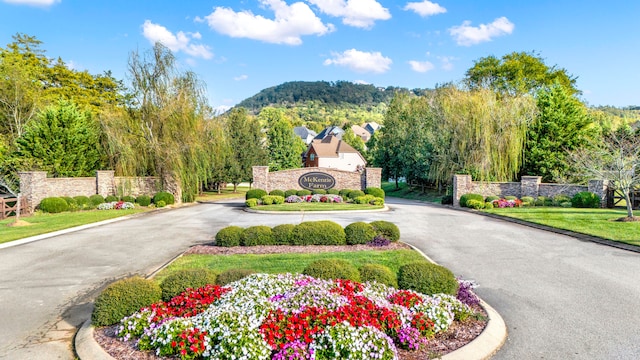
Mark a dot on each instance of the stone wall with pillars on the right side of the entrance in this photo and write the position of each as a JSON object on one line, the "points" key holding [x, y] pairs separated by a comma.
{"points": [[528, 186]]}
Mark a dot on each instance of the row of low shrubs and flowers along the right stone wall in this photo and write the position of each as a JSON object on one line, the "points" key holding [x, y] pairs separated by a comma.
{"points": [[583, 199]]}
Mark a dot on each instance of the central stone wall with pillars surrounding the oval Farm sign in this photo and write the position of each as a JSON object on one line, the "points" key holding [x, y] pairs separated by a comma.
{"points": [[288, 179]]}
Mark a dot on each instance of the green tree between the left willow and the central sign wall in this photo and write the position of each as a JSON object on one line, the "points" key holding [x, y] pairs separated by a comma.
{"points": [[247, 143]]}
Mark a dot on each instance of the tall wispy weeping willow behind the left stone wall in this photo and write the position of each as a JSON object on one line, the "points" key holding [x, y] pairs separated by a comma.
{"points": [[163, 134]]}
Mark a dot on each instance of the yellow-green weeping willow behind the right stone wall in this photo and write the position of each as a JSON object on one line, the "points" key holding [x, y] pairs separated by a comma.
{"points": [[479, 133]]}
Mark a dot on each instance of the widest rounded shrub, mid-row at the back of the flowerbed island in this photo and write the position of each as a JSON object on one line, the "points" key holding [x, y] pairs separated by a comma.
{"points": [[323, 232]]}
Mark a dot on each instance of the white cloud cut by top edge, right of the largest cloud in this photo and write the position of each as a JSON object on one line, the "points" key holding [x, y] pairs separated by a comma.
{"points": [[357, 13]]}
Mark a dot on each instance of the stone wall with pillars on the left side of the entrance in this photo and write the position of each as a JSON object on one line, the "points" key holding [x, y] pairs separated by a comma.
{"points": [[35, 186]]}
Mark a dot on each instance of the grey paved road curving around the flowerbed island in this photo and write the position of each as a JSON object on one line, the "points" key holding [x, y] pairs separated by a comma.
{"points": [[561, 298]]}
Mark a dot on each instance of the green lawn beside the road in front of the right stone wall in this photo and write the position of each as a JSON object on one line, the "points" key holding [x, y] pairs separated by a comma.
{"points": [[596, 222]]}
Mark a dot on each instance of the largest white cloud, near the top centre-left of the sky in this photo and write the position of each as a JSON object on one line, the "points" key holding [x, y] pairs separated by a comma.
{"points": [[290, 23]]}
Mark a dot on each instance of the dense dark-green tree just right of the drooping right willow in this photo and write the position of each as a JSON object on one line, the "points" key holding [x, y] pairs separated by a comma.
{"points": [[562, 125]]}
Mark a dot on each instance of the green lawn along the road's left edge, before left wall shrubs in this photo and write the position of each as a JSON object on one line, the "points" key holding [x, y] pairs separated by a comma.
{"points": [[42, 223]]}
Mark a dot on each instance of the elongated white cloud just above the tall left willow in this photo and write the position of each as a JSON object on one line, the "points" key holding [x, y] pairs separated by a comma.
{"points": [[178, 42]]}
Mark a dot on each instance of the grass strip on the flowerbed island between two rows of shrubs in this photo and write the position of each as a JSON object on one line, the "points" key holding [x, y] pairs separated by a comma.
{"points": [[293, 263]]}
